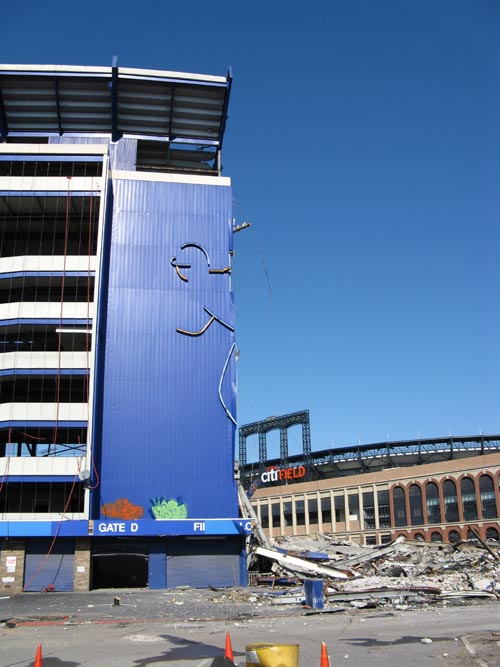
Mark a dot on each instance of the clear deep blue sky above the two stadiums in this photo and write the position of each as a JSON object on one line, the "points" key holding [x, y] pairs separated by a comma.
{"points": [[364, 146]]}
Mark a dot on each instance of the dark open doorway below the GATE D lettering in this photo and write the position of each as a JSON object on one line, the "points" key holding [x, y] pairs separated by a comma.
{"points": [[119, 570]]}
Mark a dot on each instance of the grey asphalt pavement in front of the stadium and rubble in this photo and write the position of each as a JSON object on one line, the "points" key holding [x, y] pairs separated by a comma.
{"points": [[189, 628]]}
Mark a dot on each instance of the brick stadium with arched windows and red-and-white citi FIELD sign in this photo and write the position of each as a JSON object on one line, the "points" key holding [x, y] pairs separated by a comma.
{"points": [[439, 490]]}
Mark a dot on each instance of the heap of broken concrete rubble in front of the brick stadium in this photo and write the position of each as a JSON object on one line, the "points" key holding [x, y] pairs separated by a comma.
{"points": [[401, 574]]}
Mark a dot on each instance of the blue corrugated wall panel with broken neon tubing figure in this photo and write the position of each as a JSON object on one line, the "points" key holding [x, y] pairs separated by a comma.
{"points": [[164, 433]]}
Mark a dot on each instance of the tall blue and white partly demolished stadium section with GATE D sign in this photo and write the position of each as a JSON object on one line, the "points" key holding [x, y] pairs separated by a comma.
{"points": [[117, 353]]}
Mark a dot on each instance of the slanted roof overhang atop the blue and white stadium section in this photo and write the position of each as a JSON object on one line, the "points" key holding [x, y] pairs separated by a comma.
{"points": [[45, 100]]}
